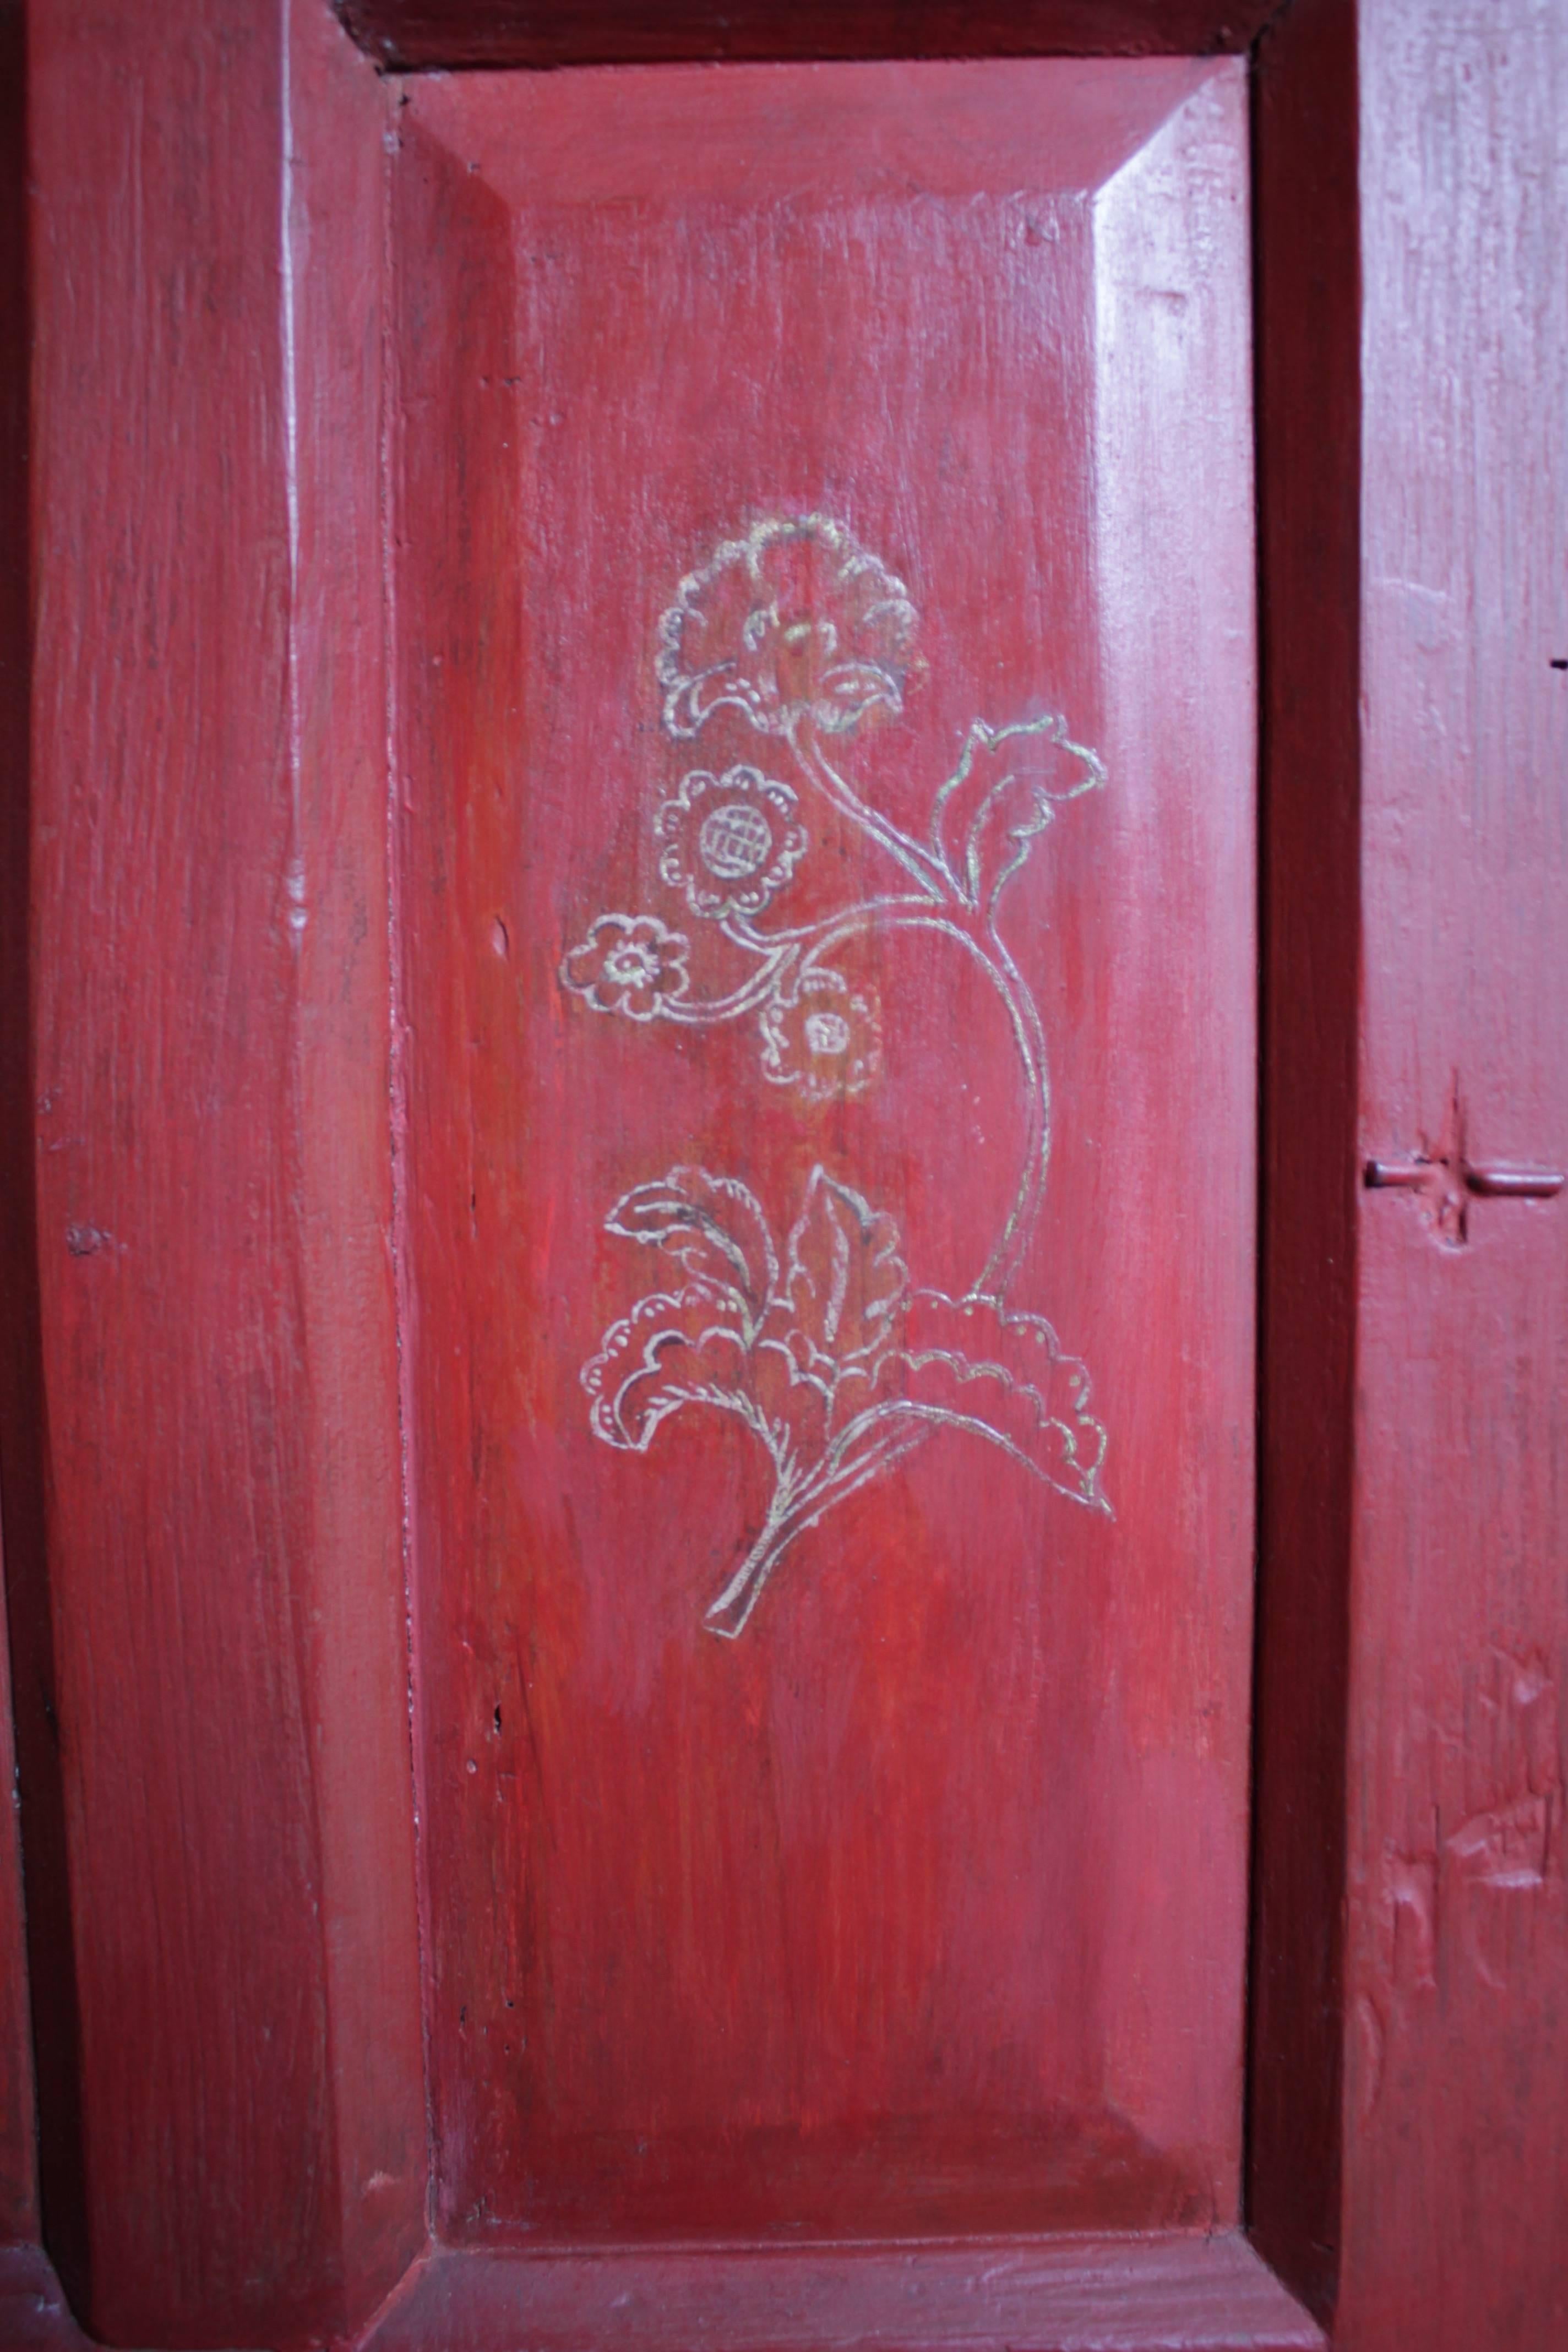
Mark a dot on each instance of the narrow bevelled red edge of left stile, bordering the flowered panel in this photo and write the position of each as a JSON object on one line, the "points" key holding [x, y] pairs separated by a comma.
{"points": [[356, 1591]]}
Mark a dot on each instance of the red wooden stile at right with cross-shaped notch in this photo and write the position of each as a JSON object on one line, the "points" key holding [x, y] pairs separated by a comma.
{"points": [[1456, 2130]]}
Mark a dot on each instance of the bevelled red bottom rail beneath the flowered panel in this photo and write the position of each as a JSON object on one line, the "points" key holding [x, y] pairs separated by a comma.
{"points": [[1177, 2294]]}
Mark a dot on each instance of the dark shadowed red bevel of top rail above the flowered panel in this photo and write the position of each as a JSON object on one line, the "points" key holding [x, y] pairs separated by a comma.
{"points": [[422, 34]]}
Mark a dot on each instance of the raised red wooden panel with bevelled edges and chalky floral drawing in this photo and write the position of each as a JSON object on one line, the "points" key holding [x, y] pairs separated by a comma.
{"points": [[824, 613]]}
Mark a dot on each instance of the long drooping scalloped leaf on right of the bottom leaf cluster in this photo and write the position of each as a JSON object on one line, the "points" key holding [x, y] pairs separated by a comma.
{"points": [[965, 1363]]}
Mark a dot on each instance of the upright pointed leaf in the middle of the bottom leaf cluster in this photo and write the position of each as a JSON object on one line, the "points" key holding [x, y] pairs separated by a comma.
{"points": [[843, 1281]]}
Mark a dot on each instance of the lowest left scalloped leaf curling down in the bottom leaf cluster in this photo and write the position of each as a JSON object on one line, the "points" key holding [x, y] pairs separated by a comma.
{"points": [[674, 1349]]}
